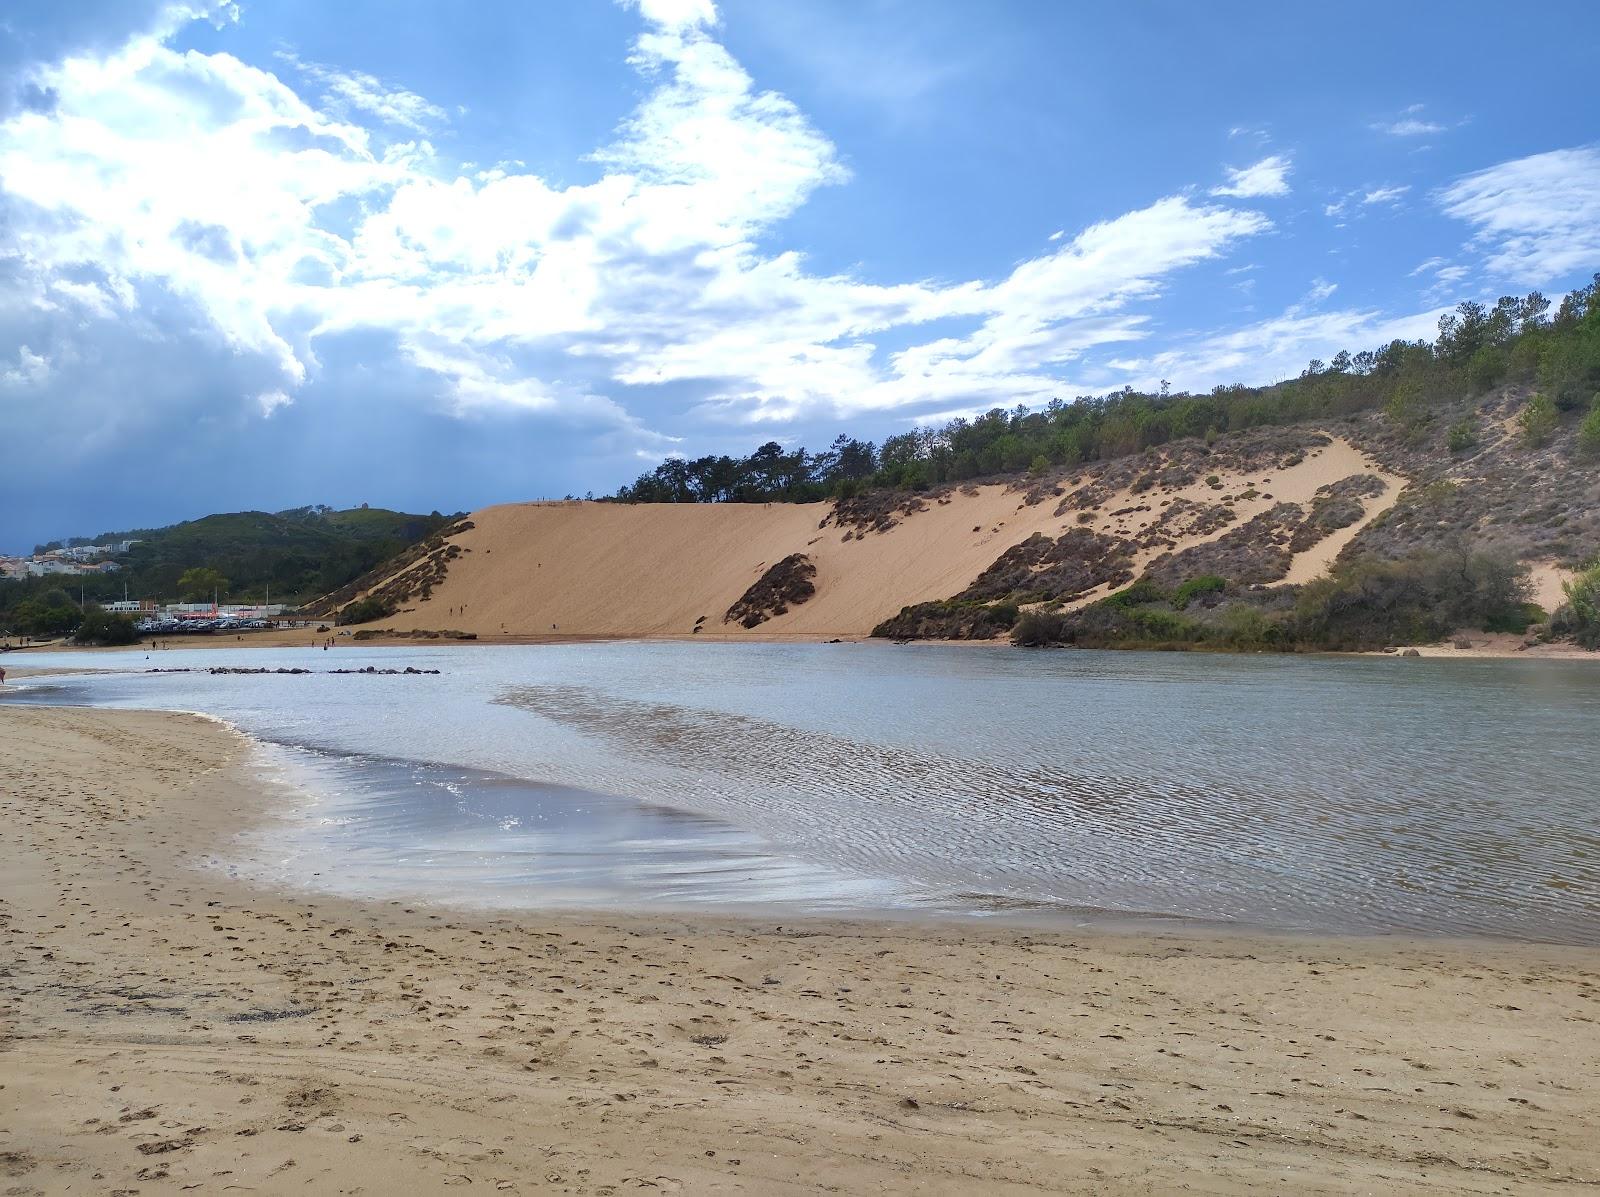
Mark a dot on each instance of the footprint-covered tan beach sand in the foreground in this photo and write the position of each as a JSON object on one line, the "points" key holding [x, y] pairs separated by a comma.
{"points": [[166, 1028]]}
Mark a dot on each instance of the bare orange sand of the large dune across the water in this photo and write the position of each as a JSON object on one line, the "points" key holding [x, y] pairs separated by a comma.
{"points": [[599, 569]]}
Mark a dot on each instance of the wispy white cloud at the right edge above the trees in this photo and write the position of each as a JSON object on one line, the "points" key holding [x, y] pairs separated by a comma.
{"points": [[1537, 218]]}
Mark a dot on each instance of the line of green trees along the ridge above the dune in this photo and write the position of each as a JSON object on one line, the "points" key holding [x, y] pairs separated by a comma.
{"points": [[1479, 348]]}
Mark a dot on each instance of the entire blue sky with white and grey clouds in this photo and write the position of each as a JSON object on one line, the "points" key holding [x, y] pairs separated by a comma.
{"points": [[434, 257]]}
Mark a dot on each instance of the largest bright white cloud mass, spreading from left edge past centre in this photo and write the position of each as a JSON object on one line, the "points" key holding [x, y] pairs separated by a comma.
{"points": [[174, 196]]}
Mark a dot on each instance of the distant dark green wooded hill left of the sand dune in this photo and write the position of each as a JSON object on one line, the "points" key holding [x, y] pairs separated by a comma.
{"points": [[300, 553]]}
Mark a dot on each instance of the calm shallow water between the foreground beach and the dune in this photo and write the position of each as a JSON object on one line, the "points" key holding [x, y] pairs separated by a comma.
{"points": [[1290, 793]]}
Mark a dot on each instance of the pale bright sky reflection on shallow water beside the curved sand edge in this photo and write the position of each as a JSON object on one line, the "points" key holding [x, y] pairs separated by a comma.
{"points": [[394, 830]]}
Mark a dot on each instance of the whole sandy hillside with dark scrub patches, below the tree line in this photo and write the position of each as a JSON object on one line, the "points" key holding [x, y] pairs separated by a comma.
{"points": [[1249, 522]]}
